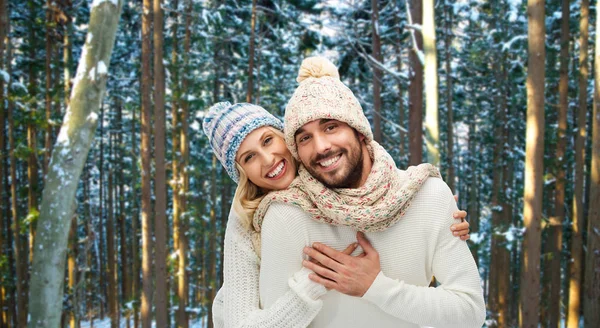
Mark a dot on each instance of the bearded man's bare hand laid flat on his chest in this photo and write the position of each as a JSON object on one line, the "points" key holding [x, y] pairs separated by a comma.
{"points": [[350, 275]]}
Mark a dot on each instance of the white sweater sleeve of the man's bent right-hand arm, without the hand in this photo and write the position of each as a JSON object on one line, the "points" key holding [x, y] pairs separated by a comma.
{"points": [[457, 302]]}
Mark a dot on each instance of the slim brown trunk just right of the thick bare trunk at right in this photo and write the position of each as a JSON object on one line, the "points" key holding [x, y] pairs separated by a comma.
{"points": [[556, 220]]}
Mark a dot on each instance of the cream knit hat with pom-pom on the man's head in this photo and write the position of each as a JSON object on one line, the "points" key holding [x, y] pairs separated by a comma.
{"points": [[320, 95]]}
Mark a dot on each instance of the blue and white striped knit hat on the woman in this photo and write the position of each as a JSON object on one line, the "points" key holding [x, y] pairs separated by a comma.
{"points": [[227, 125]]}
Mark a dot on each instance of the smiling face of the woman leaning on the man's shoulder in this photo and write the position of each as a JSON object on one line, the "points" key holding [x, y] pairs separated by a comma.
{"points": [[266, 160]]}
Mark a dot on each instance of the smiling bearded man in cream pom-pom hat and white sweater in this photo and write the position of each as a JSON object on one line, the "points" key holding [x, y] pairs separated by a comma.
{"points": [[387, 285]]}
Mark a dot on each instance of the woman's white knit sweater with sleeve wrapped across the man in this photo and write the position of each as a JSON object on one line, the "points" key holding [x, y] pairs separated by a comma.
{"points": [[237, 302]]}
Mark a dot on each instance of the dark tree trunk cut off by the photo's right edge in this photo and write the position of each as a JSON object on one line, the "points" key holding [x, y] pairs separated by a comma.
{"points": [[591, 296]]}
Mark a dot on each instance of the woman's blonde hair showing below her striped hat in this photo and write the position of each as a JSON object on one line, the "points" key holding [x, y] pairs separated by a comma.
{"points": [[248, 195]]}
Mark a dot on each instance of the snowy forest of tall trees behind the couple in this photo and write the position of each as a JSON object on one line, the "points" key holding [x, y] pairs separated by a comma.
{"points": [[113, 207]]}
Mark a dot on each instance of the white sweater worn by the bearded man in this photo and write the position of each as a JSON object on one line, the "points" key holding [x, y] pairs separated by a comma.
{"points": [[411, 252]]}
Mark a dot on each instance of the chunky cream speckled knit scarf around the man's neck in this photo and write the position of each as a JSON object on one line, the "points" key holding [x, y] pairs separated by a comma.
{"points": [[375, 206]]}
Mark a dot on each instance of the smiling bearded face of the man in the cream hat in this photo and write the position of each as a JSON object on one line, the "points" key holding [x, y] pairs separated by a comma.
{"points": [[332, 152]]}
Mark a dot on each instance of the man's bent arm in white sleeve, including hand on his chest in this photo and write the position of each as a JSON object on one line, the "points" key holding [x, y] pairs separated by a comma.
{"points": [[457, 302]]}
